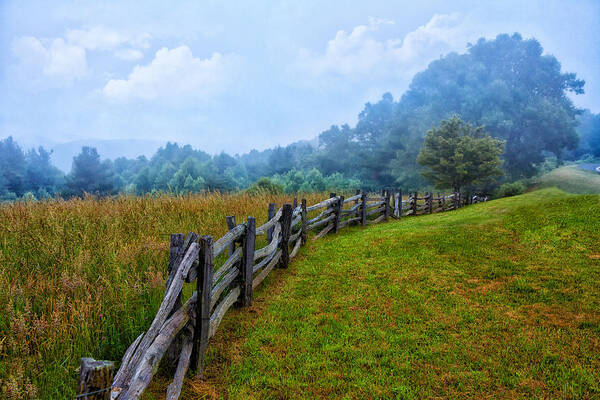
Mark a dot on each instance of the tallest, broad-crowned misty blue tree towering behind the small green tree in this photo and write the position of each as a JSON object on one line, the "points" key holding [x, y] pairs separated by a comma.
{"points": [[508, 85]]}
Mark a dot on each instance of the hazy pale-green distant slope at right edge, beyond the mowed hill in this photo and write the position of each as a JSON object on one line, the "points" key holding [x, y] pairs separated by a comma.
{"points": [[572, 179]]}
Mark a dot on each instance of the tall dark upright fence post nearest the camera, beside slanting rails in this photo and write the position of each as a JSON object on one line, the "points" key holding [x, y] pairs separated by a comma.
{"points": [[203, 287]]}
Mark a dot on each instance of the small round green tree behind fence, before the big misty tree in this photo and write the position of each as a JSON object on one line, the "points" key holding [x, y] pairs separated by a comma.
{"points": [[456, 155]]}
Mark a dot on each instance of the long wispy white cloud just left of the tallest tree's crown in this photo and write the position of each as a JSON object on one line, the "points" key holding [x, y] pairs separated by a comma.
{"points": [[362, 53]]}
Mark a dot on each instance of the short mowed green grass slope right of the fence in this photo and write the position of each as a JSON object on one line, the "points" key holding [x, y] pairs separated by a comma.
{"points": [[495, 300]]}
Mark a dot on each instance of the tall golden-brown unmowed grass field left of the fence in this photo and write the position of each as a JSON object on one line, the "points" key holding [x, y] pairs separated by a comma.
{"points": [[85, 277]]}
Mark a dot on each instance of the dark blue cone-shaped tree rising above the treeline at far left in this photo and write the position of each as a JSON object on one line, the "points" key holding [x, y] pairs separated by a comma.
{"points": [[89, 174]]}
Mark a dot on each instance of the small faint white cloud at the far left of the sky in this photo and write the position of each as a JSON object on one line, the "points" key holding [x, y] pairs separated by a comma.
{"points": [[57, 59]]}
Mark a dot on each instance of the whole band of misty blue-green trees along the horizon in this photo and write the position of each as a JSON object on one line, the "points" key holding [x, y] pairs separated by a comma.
{"points": [[506, 85]]}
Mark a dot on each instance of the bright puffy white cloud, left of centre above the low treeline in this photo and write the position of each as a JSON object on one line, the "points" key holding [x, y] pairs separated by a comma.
{"points": [[173, 75]]}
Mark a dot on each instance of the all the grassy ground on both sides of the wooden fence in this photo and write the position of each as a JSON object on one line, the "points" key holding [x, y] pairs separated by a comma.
{"points": [[499, 299]]}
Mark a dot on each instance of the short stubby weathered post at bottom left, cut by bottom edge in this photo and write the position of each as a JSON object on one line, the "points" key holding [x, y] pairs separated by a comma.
{"points": [[95, 378]]}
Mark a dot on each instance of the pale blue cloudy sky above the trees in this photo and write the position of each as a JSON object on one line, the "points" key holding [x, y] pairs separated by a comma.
{"points": [[239, 75]]}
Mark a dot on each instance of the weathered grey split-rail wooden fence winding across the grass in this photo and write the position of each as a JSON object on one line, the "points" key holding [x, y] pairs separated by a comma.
{"points": [[180, 333]]}
